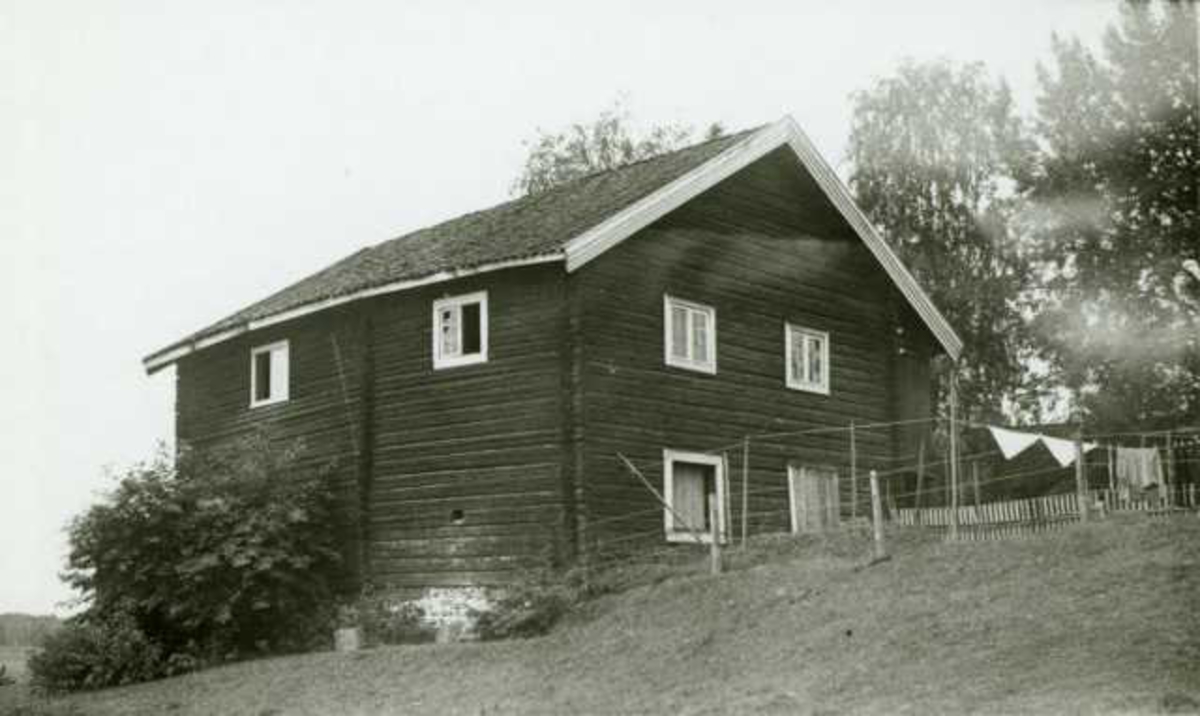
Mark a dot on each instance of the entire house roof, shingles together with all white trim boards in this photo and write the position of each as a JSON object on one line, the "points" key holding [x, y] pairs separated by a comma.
{"points": [[574, 224]]}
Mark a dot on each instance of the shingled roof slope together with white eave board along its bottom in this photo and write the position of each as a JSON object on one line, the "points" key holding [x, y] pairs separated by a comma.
{"points": [[519, 232]]}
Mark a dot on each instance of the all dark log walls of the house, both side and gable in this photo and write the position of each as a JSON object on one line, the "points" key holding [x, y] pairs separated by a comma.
{"points": [[525, 446]]}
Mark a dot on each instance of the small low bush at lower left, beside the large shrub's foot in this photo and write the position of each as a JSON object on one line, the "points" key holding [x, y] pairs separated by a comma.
{"points": [[95, 653]]}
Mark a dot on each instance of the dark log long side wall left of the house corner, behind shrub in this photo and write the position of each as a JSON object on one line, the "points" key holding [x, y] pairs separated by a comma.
{"points": [[487, 441]]}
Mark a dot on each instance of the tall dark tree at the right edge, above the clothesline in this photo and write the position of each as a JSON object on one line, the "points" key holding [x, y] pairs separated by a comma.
{"points": [[1115, 218]]}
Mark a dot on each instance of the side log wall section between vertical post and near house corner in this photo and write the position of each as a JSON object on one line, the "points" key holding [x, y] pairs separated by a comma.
{"points": [[487, 440]]}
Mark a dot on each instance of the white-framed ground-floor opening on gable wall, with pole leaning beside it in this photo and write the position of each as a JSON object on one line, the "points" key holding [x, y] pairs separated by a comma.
{"points": [[692, 484]]}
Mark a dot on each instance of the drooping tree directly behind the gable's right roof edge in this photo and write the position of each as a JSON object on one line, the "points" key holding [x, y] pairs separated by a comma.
{"points": [[937, 151]]}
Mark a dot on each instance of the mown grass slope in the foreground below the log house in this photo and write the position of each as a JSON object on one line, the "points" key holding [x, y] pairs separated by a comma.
{"points": [[1101, 618]]}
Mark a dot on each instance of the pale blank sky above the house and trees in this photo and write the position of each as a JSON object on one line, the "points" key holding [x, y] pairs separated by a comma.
{"points": [[166, 164]]}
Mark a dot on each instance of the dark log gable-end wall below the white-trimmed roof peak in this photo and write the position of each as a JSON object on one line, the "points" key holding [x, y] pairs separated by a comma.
{"points": [[763, 249]]}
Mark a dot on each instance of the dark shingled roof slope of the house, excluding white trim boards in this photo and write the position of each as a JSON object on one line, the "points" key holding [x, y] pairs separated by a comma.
{"points": [[532, 226]]}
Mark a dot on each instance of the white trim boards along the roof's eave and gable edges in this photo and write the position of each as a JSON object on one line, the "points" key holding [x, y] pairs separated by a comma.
{"points": [[623, 225]]}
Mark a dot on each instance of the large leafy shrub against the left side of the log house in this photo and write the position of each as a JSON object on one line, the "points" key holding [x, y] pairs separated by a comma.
{"points": [[211, 556]]}
